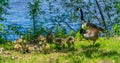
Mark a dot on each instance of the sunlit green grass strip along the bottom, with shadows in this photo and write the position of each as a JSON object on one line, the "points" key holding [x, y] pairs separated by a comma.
{"points": [[104, 51]]}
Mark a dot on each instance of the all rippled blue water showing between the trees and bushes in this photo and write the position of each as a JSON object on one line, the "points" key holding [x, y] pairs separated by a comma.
{"points": [[18, 14]]}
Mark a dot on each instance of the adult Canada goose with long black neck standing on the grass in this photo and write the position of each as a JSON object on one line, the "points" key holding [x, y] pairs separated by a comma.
{"points": [[89, 30]]}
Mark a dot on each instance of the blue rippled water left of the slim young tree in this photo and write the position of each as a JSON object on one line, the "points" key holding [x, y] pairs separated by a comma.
{"points": [[17, 14]]}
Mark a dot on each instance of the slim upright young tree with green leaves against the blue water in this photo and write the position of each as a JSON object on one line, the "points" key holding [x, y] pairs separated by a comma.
{"points": [[33, 13]]}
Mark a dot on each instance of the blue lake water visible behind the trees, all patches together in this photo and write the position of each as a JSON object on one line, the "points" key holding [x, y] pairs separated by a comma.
{"points": [[18, 15]]}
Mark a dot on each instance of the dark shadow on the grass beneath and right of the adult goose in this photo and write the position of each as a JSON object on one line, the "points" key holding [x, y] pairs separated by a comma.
{"points": [[94, 51]]}
